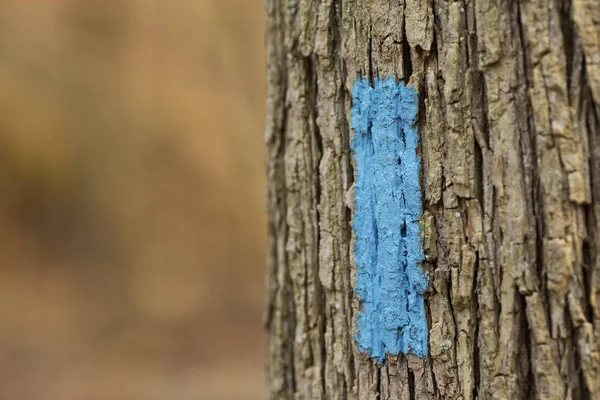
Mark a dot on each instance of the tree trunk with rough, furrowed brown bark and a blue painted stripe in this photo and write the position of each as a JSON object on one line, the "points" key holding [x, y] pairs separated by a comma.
{"points": [[508, 185]]}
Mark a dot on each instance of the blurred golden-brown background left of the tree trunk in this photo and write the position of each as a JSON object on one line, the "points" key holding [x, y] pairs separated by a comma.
{"points": [[132, 228]]}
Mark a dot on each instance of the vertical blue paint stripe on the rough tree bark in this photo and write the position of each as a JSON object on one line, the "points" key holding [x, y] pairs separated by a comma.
{"points": [[391, 282]]}
